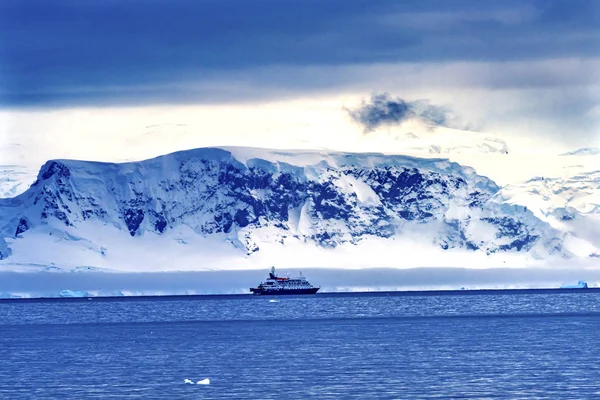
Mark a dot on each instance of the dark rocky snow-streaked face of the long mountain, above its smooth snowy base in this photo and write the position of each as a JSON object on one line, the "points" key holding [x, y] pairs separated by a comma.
{"points": [[325, 198]]}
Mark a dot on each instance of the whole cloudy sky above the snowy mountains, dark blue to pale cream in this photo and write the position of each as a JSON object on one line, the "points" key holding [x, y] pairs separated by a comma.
{"points": [[114, 80]]}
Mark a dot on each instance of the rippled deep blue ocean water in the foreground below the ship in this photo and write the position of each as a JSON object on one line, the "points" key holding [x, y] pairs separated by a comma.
{"points": [[355, 346]]}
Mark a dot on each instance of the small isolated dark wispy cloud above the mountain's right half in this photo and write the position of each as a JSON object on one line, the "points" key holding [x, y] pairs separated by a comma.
{"points": [[385, 110]]}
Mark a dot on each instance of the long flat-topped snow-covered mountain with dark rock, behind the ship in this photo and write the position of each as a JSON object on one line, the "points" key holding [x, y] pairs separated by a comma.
{"points": [[244, 207]]}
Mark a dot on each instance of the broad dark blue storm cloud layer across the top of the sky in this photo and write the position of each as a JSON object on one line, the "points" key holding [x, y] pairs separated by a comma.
{"points": [[66, 52]]}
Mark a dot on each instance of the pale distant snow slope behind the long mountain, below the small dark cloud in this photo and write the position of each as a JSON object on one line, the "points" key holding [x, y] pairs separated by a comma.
{"points": [[505, 158]]}
